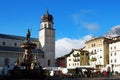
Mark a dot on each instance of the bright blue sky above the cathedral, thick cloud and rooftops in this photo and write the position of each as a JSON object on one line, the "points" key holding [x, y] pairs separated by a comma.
{"points": [[73, 19]]}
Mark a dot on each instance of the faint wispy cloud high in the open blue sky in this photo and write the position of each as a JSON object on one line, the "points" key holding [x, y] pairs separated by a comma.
{"points": [[80, 19]]}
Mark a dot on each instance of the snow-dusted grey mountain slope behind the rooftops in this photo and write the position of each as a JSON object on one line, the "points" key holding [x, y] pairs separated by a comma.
{"points": [[114, 31]]}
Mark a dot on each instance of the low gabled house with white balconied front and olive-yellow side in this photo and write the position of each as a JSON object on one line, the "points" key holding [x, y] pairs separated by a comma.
{"points": [[77, 58]]}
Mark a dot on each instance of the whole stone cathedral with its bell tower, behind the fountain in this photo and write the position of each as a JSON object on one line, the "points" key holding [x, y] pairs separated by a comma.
{"points": [[10, 50]]}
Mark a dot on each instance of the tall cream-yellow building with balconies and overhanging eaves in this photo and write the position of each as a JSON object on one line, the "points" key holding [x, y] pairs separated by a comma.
{"points": [[99, 51]]}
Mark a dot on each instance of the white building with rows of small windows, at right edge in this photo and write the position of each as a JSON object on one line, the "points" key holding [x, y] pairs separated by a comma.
{"points": [[114, 54]]}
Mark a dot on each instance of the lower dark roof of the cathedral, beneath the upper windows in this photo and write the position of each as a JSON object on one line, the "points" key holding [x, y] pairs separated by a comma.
{"points": [[18, 49]]}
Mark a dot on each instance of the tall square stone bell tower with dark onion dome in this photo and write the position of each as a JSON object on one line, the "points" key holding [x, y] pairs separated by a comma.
{"points": [[47, 39]]}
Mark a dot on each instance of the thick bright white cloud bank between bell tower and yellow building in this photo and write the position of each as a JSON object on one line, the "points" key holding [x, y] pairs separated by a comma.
{"points": [[65, 45]]}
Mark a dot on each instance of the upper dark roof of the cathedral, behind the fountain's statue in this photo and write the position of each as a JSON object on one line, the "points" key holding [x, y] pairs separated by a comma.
{"points": [[6, 36]]}
